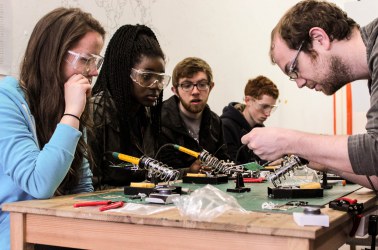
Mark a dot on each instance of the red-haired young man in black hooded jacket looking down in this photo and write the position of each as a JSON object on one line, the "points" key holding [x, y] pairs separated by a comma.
{"points": [[260, 96]]}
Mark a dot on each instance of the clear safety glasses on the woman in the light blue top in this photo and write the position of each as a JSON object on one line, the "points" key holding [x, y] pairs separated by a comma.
{"points": [[84, 63]]}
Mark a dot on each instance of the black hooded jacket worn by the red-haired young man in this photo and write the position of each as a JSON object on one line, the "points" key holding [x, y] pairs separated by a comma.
{"points": [[234, 127]]}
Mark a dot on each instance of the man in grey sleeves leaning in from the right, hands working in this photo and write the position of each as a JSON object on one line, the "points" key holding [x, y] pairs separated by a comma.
{"points": [[318, 46]]}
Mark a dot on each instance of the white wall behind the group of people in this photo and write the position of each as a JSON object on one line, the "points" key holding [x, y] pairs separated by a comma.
{"points": [[233, 36]]}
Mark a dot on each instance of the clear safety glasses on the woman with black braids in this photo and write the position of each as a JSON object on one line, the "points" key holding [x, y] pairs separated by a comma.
{"points": [[147, 79]]}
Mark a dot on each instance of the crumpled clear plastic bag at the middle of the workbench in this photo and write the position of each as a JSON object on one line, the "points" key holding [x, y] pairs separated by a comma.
{"points": [[206, 203]]}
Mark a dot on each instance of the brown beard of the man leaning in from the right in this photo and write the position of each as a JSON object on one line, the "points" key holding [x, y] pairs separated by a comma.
{"points": [[340, 74]]}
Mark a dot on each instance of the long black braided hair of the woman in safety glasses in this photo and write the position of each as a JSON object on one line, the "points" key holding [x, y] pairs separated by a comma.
{"points": [[125, 49]]}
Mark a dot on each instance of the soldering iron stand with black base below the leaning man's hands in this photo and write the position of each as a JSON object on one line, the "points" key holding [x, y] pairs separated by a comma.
{"points": [[290, 165]]}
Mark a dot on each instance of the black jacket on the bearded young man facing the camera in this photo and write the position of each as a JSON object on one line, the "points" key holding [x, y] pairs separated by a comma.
{"points": [[174, 131]]}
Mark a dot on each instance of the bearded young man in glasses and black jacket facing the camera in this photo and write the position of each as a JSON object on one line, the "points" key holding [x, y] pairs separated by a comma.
{"points": [[187, 119]]}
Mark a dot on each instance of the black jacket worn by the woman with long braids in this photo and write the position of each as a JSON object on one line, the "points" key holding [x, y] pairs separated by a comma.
{"points": [[107, 137]]}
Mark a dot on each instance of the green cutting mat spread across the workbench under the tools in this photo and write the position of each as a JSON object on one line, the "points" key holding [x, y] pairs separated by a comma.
{"points": [[251, 201]]}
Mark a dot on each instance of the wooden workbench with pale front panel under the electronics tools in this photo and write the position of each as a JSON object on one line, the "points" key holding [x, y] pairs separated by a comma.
{"points": [[57, 222]]}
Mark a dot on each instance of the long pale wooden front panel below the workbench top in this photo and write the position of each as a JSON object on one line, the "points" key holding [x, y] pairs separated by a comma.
{"points": [[90, 234]]}
